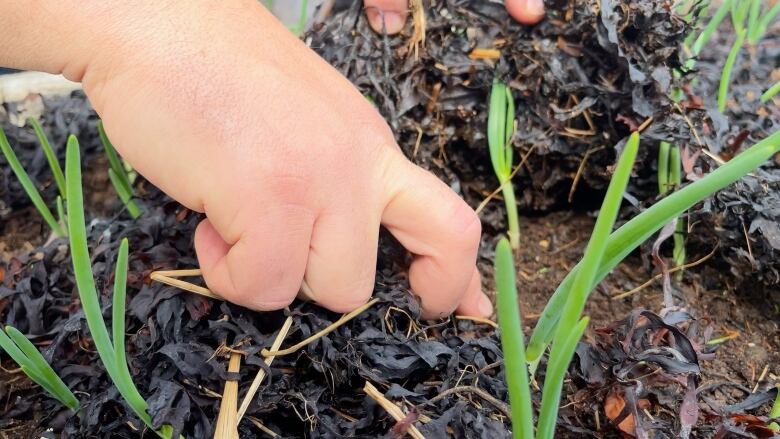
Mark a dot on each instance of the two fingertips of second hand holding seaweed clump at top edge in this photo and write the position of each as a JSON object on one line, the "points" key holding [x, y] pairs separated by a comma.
{"points": [[394, 13]]}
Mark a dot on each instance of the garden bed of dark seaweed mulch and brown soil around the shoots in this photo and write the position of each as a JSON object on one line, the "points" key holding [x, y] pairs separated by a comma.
{"points": [[581, 79]]}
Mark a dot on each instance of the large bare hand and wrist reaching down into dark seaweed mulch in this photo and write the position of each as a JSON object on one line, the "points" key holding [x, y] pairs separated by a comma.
{"points": [[227, 112]]}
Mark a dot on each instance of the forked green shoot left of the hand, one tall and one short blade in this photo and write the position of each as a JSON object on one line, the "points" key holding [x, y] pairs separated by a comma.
{"points": [[85, 282]]}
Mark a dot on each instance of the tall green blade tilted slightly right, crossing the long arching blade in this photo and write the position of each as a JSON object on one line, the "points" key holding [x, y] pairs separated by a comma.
{"points": [[571, 325]]}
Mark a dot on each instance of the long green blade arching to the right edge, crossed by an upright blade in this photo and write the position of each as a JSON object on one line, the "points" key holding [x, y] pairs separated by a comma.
{"points": [[629, 236]]}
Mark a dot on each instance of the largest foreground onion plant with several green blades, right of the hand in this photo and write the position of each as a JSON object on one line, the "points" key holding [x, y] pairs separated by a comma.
{"points": [[561, 323]]}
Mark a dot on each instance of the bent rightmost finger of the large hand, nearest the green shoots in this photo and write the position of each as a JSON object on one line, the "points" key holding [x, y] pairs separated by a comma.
{"points": [[443, 234]]}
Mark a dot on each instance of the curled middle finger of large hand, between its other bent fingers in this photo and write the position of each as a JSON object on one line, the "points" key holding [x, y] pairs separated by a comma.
{"points": [[342, 259]]}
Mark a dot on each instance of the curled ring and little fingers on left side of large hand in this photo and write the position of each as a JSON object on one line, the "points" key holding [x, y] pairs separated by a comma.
{"points": [[263, 269]]}
